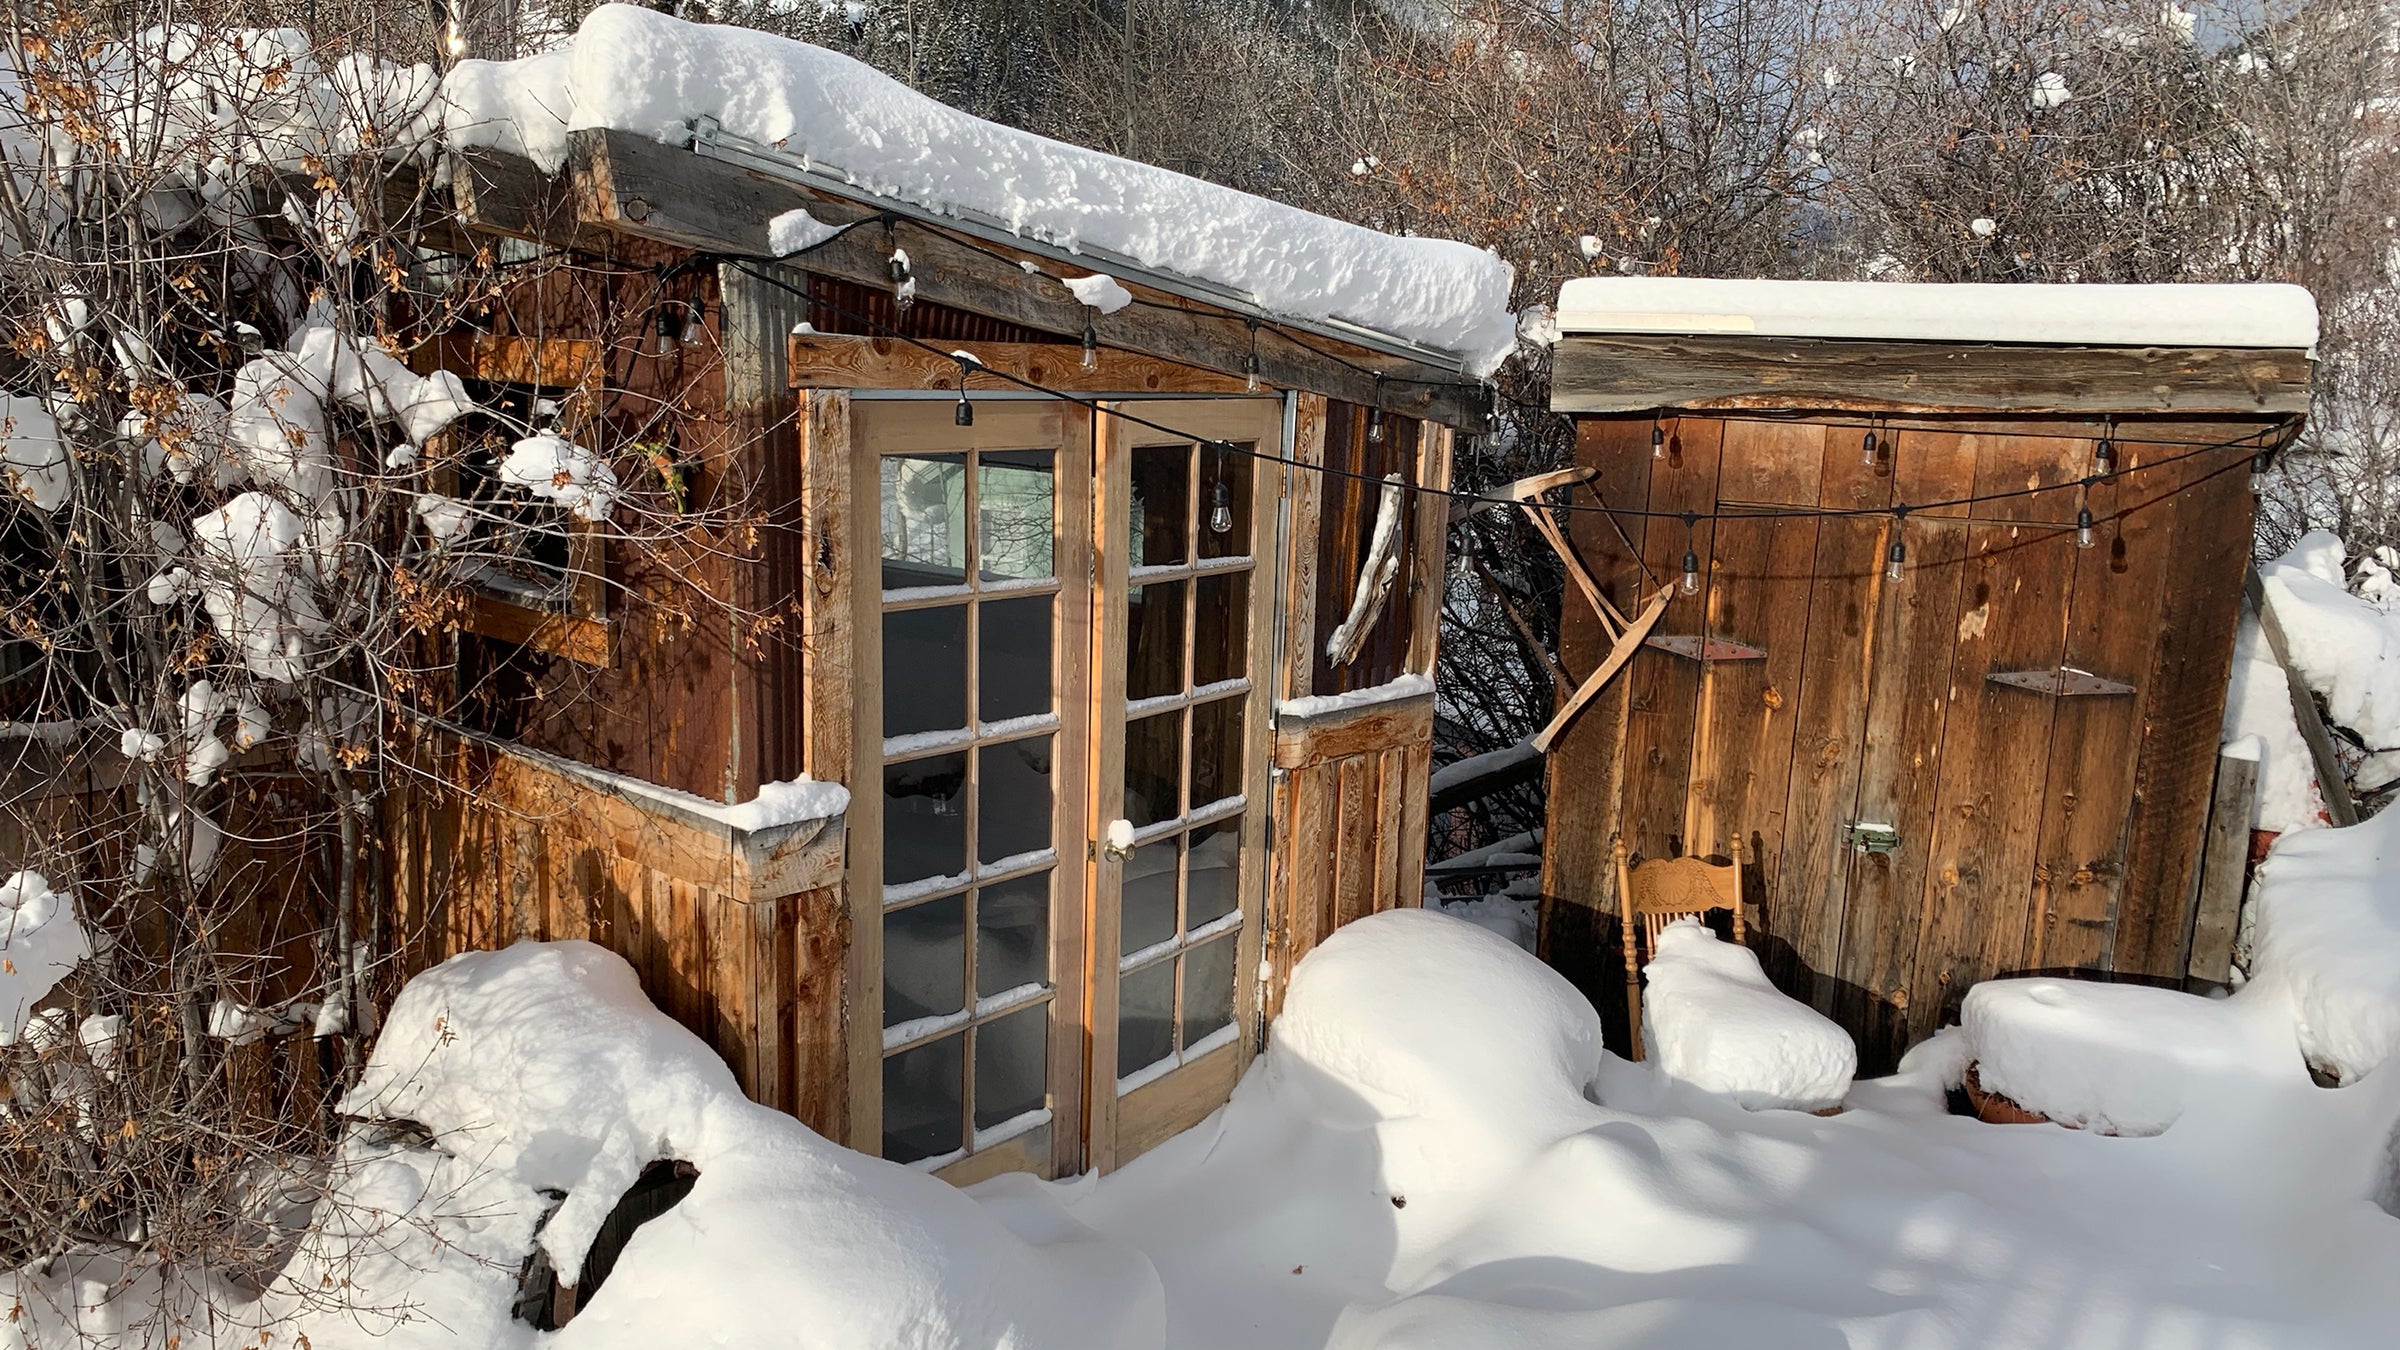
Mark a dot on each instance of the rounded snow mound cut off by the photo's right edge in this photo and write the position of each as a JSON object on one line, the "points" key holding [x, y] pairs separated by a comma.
{"points": [[2329, 933]]}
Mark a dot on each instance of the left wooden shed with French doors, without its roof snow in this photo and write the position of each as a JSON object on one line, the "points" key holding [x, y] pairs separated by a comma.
{"points": [[1052, 590]]}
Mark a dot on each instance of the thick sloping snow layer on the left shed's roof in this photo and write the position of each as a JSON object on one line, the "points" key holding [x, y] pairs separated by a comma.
{"points": [[647, 73]]}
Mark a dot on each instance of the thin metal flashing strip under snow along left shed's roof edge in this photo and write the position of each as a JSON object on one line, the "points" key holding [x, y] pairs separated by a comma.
{"points": [[714, 143]]}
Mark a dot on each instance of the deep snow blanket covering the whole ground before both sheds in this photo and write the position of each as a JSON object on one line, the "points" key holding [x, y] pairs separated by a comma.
{"points": [[1432, 1154]]}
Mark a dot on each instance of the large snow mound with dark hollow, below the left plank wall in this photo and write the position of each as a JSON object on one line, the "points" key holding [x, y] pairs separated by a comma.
{"points": [[546, 1068]]}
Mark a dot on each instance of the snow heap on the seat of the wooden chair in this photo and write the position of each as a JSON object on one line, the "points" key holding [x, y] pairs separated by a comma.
{"points": [[1712, 1020]]}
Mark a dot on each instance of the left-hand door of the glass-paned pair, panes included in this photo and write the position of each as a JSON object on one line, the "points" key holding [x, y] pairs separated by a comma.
{"points": [[971, 806]]}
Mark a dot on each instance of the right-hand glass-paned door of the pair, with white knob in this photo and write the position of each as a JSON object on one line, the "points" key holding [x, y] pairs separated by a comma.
{"points": [[1180, 763]]}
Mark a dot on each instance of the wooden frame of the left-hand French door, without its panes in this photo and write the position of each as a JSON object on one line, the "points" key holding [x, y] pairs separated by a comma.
{"points": [[899, 426]]}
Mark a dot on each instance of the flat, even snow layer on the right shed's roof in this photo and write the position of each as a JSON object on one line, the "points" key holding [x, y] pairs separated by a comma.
{"points": [[1900, 311]]}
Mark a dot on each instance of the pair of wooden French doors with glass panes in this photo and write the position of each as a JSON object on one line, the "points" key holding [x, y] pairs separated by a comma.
{"points": [[1062, 633]]}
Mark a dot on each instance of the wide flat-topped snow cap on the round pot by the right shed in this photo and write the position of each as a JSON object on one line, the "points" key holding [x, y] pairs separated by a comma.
{"points": [[2111, 1058]]}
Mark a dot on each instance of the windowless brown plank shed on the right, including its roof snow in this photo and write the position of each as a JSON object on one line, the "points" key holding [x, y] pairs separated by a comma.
{"points": [[1952, 664]]}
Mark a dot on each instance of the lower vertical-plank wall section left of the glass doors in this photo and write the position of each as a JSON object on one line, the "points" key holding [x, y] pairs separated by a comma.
{"points": [[493, 847]]}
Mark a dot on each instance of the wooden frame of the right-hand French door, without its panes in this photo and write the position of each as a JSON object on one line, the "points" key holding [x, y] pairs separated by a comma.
{"points": [[1122, 1128]]}
